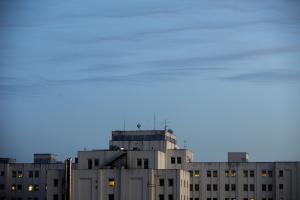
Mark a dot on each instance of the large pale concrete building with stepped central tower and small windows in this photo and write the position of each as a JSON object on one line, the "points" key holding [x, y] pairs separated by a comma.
{"points": [[149, 165]]}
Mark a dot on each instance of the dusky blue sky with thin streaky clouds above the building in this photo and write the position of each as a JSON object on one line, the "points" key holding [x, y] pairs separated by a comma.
{"points": [[225, 75]]}
